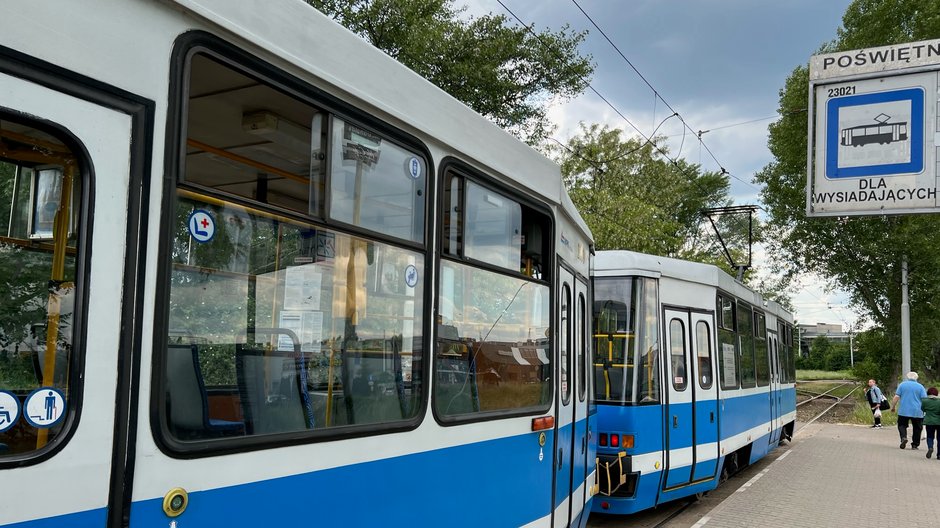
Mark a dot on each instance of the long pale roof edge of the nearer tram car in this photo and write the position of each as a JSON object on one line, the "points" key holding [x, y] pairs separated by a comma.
{"points": [[372, 76]]}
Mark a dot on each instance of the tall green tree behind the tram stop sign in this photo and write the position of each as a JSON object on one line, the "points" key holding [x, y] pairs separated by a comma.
{"points": [[859, 254]]}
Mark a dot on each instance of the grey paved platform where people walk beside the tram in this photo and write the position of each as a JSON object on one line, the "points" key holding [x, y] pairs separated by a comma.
{"points": [[838, 476]]}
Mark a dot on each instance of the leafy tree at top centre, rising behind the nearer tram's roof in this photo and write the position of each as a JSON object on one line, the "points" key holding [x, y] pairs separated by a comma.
{"points": [[508, 74]]}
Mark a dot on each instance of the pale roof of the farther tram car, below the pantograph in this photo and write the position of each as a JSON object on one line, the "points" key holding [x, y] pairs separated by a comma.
{"points": [[621, 262]]}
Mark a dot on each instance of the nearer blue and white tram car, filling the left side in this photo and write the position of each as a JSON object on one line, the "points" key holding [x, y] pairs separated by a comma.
{"points": [[254, 272]]}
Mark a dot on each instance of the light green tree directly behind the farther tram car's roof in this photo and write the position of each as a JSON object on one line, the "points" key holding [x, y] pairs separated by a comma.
{"points": [[633, 197]]}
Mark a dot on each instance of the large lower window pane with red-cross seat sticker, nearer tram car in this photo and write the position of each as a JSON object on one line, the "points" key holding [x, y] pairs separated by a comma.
{"points": [[280, 326]]}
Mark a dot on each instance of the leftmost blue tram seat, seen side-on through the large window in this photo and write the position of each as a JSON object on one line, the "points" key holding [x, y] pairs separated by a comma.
{"points": [[188, 399]]}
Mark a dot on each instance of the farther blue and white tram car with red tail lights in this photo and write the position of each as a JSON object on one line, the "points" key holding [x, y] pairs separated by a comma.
{"points": [[694, 378]]}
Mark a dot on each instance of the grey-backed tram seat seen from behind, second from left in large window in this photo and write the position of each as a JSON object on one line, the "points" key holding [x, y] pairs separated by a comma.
{"points": [[274, 399]]}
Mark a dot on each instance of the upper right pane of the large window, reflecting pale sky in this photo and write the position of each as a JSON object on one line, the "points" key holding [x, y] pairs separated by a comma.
{"points": [[375, 183]]}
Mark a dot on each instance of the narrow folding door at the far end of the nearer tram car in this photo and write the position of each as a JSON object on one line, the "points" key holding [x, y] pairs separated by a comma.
{"points": [[565, 422]]}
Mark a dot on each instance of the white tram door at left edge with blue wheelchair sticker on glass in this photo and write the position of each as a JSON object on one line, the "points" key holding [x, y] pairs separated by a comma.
{"points": [[64, 153]]}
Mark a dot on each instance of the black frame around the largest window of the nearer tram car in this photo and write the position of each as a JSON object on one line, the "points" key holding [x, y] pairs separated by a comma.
{"points": [[199, 42]]}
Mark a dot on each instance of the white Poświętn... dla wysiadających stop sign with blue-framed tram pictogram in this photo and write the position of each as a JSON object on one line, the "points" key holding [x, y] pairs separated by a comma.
{"points": [[874, 131]]}
